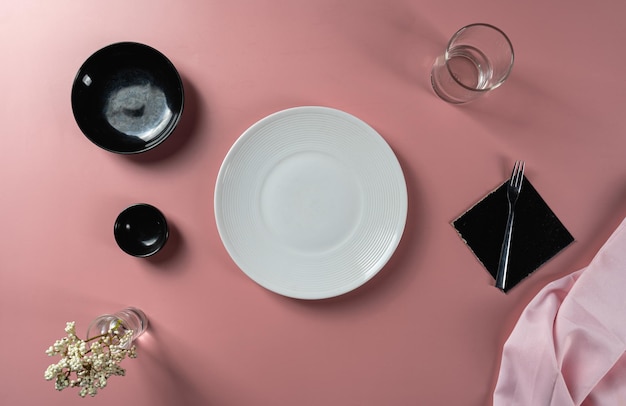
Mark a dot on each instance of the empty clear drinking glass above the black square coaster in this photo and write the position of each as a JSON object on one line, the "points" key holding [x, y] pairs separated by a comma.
{"points": [[478, 59]]}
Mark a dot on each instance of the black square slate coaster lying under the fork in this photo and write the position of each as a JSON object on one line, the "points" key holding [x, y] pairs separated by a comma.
{"points": [[538, 234]]}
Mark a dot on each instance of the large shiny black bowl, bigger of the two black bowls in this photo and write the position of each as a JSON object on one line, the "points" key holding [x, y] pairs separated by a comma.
{"points": [[127, 98]]}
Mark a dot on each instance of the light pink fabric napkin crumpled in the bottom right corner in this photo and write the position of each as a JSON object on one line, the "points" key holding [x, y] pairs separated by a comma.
{"points": [[568, 347]]}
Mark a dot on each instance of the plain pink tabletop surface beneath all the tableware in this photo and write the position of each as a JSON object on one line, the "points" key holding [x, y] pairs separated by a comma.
{"points": [[429, 328]]}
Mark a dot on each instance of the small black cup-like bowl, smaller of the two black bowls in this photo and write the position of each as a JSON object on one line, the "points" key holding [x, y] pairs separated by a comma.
{"points": [[141, 230]]}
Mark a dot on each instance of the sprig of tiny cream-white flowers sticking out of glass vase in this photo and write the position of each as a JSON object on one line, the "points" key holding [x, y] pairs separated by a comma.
{"points": [[88, 364]]}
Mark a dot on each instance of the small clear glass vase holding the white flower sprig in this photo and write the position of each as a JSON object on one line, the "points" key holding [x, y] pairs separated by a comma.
{"points": [[119, 323]]}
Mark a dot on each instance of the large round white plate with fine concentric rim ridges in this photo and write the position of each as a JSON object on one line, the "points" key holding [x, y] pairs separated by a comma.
{"points": [[310, 202]]}
